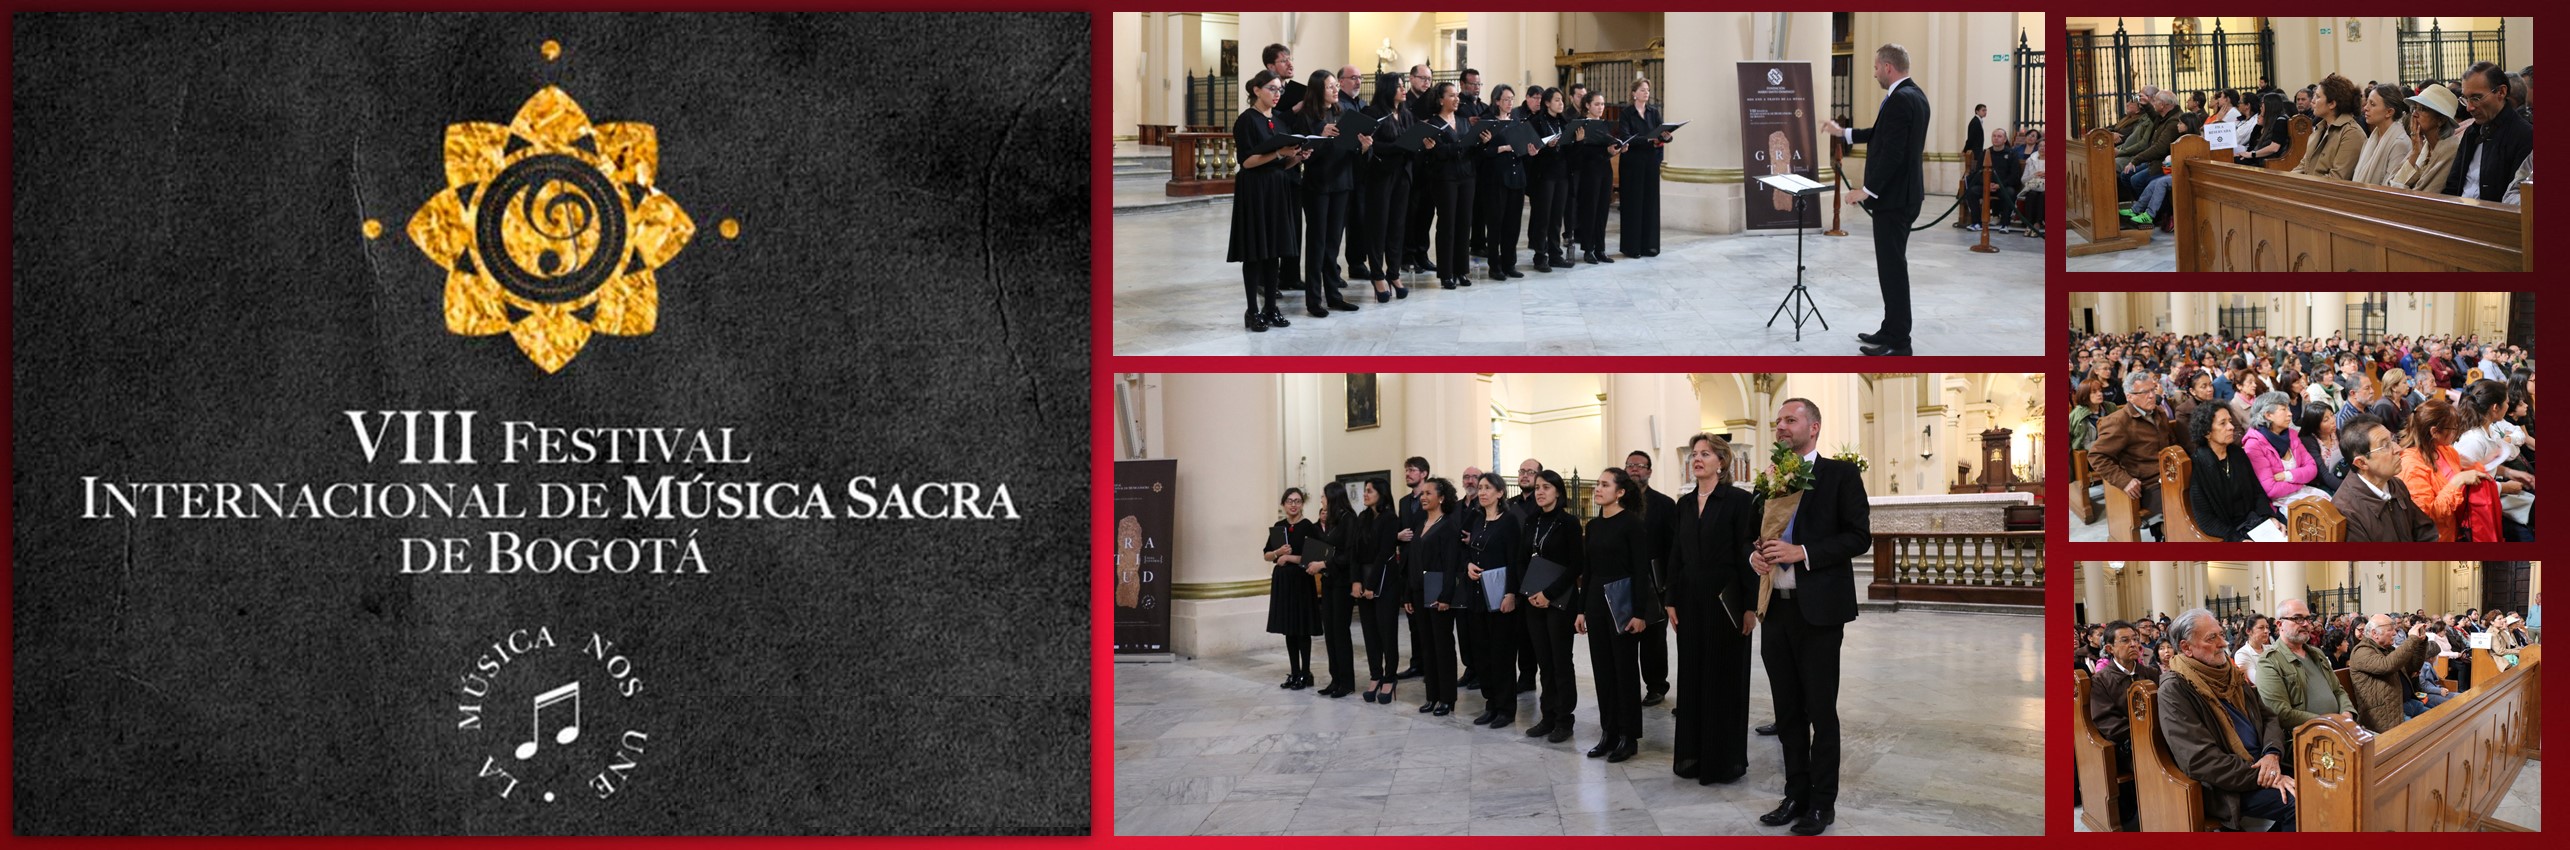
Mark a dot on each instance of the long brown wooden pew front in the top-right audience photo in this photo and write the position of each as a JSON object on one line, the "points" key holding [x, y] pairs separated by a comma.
{"points": [[2242, 220]]}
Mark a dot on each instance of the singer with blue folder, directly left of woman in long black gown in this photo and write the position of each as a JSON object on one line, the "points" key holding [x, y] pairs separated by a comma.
{"points": [[1618, 551]]}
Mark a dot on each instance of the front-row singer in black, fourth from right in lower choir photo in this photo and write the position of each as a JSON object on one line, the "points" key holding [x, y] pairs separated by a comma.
{"points": [[1556, 535]]}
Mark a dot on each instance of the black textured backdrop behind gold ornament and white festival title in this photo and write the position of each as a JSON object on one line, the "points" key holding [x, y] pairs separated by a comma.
{"points": [[194, 302]]}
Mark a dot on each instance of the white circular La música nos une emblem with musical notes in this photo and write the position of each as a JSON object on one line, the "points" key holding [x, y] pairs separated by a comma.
{"points": [[549, 718]]}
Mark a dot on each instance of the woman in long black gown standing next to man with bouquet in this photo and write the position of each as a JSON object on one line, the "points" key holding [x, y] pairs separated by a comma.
{"points": [[1708, 556]]}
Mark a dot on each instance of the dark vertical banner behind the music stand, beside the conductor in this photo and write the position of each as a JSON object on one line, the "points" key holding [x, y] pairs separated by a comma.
{"points": [[1775, 140]]}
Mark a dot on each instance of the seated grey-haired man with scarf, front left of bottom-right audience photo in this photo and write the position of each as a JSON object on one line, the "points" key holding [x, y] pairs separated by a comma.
{"points": [[2219, 733]]}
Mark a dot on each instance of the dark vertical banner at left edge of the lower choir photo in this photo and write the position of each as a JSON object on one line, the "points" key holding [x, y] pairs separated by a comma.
{"points": [[1145, 517]]}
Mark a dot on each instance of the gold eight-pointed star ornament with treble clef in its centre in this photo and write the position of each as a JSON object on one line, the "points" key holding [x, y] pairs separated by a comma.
{"points": [[551, 230]]}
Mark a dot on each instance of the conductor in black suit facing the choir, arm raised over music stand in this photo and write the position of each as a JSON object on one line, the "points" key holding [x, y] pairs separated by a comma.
{"points": [[1893, 189]]}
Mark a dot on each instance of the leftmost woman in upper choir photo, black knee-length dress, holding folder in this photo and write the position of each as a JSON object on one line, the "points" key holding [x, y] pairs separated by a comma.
{"points": [[1263, 204]]}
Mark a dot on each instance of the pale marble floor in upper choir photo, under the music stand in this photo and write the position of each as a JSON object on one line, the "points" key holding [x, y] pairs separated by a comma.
{"points": [[1700, 297]]}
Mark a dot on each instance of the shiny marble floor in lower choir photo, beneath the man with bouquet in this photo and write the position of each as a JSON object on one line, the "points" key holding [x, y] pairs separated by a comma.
{"points": [[1942, 736]]}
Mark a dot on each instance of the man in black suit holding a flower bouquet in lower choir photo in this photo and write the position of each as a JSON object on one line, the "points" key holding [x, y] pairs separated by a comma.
{"points": [[1808, 620]]}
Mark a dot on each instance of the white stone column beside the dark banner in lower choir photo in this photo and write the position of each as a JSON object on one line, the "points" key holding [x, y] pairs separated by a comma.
{"points": [[1225, 433]]}
